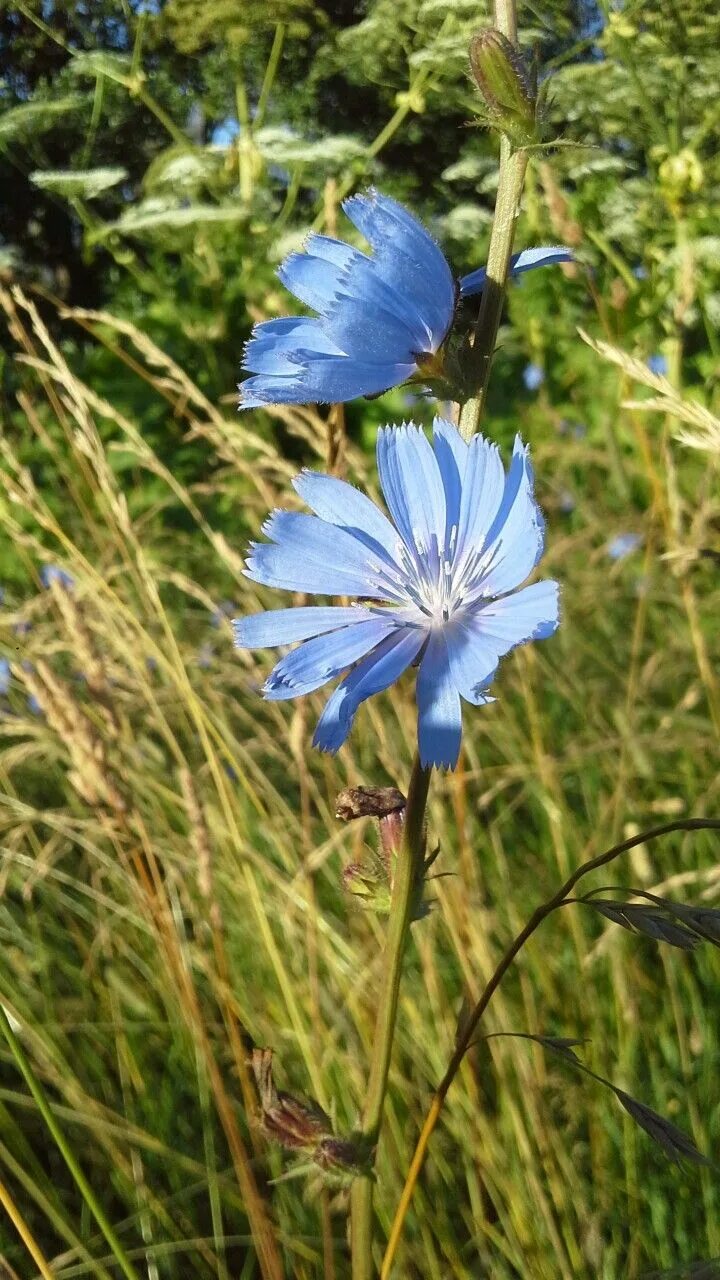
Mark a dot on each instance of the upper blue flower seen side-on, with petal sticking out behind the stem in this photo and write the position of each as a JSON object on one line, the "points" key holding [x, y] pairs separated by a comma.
{"points": [[381, 318]]}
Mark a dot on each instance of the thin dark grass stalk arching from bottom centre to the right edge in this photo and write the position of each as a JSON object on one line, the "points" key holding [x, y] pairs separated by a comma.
{"points": [[470, 1027]]}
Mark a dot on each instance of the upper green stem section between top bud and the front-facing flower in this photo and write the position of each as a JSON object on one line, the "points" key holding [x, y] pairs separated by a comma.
{"points": [[513, 166]]}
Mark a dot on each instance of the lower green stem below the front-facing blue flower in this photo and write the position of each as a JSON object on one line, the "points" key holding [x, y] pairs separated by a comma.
{"points": [[408, 875]]}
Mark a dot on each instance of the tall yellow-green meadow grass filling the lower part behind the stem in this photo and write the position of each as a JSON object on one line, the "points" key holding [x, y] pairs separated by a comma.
{"points": [[172, 870]]}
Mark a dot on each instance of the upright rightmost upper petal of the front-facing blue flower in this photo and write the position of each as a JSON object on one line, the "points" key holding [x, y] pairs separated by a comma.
{"points": [[516, 541]]}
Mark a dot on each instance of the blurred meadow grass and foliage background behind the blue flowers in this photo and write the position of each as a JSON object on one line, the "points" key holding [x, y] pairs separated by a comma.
{"points": [[171, 877]]}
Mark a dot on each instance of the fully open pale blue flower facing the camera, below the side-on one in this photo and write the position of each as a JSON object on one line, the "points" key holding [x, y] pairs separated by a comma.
{"points": [[438, 583]]}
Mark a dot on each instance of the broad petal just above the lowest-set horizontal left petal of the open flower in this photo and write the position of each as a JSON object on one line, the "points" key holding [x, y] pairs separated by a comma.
{"points": [[313, 556]]}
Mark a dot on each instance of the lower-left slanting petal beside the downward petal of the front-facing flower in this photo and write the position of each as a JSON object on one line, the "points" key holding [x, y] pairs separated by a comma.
{"points": [[371, 676]]}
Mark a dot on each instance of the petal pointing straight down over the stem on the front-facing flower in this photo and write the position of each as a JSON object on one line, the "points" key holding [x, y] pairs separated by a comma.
{"points": [[440, 720]]}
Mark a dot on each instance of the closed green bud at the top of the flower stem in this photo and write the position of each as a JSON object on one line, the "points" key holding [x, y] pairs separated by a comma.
{"points": [[507, 85]]}
